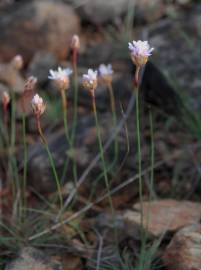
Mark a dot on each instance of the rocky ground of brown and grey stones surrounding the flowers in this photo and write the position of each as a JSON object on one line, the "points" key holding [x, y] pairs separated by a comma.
{"points": [[41, 32]]}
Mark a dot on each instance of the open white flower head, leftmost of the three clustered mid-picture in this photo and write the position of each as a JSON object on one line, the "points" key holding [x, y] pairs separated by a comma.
{"points": [[61, 77]]}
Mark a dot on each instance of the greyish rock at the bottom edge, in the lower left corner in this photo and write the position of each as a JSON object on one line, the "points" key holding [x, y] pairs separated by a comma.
{"points": [[31, 259]]}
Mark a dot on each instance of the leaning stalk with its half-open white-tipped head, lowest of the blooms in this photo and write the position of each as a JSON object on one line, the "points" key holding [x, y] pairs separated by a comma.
{"points": [[38, 107]]}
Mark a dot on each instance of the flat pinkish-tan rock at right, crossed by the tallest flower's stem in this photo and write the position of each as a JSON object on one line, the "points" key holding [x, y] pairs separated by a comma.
{"points": [[165, 215]]}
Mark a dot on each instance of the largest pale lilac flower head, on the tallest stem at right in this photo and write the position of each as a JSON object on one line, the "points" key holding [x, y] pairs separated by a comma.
{"points": [[140, 52]]}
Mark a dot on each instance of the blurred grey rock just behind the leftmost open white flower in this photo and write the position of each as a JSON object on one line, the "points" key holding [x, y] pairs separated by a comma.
{"points": [[40, 65]]}
